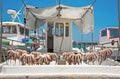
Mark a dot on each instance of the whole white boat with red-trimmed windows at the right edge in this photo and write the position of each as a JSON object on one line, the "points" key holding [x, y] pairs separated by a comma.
{"points": [[109, 37]]}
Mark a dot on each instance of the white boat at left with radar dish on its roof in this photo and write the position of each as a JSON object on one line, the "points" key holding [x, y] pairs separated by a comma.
{"points": [[14, 33]]}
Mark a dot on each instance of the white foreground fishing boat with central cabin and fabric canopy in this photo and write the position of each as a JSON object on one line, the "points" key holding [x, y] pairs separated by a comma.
{"points": [[59, 39]]}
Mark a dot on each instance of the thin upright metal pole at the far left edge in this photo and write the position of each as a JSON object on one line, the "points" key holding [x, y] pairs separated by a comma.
{"points": [[0, 30]]}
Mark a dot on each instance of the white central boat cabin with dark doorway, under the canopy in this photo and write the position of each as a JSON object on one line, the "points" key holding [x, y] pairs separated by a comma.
{"points": [[59, 35]]}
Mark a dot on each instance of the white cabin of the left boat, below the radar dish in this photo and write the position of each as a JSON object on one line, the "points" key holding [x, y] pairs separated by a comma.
{"points": [[14, 31]]}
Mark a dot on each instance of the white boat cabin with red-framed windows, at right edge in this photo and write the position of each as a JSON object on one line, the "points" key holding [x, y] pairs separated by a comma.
{"points": [[109, 35]]}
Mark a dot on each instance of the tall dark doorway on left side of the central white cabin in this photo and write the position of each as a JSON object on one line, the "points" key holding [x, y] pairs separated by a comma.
{"points": [[50, 35]]}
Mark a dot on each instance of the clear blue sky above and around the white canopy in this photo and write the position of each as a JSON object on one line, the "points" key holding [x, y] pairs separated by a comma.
{"points": [[105, 13]]}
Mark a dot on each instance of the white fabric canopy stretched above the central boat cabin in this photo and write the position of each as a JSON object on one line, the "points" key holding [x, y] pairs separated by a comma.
{"points": [[35, 17]]}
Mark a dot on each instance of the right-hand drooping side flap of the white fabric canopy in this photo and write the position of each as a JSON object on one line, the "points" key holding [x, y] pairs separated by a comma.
{"points": [[86, 24]]}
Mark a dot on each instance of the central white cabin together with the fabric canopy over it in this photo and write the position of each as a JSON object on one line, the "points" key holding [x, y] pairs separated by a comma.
{"points": [[59, 20]]}
